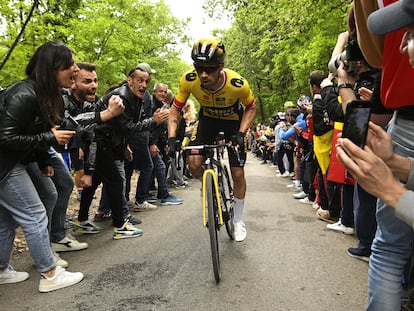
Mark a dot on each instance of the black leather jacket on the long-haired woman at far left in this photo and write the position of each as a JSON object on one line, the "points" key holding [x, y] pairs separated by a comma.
{"points": [[24, 135]]}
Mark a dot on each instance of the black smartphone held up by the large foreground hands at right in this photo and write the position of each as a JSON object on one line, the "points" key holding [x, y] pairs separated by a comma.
{"points": [[357, 116]]}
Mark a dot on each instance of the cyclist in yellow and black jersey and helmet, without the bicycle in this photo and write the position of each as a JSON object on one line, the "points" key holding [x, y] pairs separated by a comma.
{"points": [[226, 104]]}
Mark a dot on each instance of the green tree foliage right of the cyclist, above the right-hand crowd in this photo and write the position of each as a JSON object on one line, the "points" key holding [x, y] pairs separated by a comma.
{"points": [[276, 44]]}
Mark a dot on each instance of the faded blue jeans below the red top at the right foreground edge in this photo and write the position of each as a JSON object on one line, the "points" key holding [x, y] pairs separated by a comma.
{"points": [[391, 248]]}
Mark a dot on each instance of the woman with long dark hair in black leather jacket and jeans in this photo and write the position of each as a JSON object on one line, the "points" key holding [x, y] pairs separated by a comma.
{"points": [[30, 111]]}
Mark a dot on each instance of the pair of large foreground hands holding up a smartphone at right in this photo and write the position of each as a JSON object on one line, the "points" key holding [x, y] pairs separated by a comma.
{"points": [[376, 168]]}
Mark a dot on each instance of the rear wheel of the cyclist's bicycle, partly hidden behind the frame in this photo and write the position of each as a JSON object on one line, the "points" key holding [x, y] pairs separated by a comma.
{"points": [[227, 200]]}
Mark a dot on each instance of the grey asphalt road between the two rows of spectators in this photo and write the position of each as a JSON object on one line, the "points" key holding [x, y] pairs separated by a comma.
{"points": [[289, 261]]}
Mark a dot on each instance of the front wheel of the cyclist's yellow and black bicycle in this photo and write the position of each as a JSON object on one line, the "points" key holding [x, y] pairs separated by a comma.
{"points": [[213, 226]]}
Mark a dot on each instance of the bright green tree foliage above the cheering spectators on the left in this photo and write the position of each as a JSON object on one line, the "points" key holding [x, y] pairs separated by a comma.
{"points": [[115, 35]]}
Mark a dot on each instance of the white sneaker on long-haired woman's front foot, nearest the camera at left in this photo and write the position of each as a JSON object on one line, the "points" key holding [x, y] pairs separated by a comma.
{"points": [[61, 279]]}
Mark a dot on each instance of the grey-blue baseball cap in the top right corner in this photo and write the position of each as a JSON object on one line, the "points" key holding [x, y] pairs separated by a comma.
{"points": [[392, 17]]}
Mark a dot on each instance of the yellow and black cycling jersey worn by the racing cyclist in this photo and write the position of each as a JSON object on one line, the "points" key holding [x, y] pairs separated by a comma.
{"points": [[224, 103]]}
